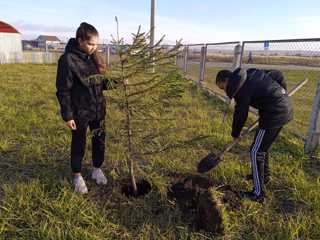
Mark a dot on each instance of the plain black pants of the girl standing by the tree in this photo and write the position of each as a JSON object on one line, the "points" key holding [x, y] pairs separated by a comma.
{"points": [[78, 143]]}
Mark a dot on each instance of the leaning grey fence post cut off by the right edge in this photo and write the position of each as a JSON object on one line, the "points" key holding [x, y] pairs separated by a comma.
{"points": [[312, 141]]}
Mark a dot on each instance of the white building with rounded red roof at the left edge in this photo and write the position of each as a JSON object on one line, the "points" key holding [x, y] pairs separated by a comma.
{"points": [[10, 43]]}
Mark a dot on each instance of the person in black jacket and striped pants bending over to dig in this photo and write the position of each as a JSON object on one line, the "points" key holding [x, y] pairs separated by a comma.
{"points": [[266, 91]]}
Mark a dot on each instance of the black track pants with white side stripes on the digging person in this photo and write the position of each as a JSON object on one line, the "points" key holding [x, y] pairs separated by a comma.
{"points": [[260, 146]]}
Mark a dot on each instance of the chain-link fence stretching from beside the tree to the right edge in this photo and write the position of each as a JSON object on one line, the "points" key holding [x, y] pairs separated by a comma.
{"points": [[298, 59]]}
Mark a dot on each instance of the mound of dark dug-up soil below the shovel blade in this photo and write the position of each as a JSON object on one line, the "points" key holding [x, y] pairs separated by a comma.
{"points": [[192, 195]]}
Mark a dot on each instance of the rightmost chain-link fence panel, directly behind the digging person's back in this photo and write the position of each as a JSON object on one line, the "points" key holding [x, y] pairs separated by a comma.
{"points": [[298, 59]]}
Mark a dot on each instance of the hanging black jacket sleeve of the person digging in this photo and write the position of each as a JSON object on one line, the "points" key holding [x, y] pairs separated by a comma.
{"points": [[240, 115]]}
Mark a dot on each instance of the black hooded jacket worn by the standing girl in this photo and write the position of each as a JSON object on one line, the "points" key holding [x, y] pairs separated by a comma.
{"points": [[79, 97]]}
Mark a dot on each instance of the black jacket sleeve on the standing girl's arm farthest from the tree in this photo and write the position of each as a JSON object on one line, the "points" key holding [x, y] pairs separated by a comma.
{"points": [[64, 83]]}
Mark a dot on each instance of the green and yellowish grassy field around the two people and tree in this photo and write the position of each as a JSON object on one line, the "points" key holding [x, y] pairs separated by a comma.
{"points": [[36, 197]]}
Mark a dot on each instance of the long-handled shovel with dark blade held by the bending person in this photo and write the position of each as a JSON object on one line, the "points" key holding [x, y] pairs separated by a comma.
{"points": [[212, 160]]}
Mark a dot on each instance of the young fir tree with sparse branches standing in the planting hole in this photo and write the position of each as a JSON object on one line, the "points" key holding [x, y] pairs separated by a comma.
{"points": [[149, 83]]}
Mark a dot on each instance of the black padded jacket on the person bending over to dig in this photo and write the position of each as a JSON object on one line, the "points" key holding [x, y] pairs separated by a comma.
{"points": [[264, 90]]}
